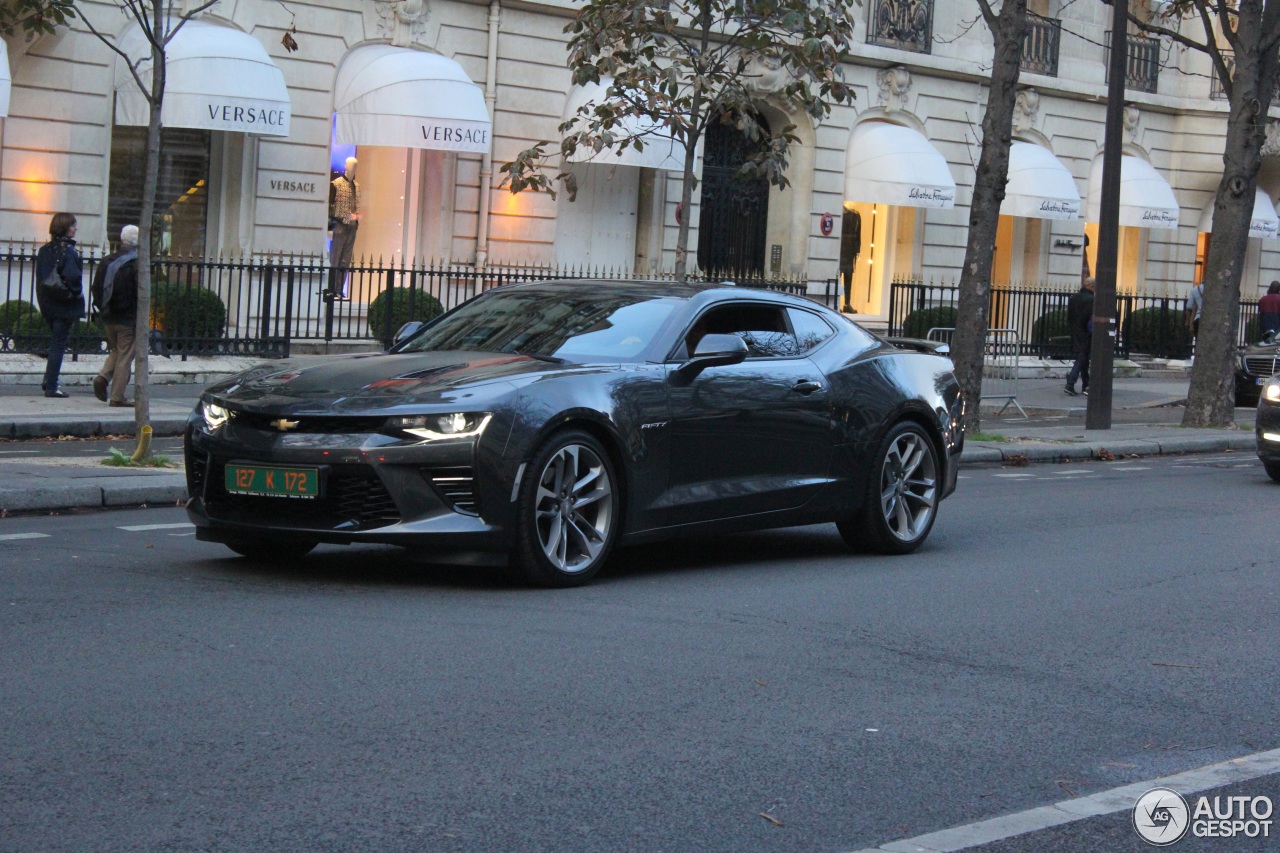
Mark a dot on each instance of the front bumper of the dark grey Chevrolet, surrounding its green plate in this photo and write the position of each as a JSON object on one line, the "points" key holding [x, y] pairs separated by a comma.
{"points": [[372, 490]]}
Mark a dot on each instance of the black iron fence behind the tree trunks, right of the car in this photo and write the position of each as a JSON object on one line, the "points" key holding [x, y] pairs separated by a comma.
{"points": [[1149, 326]]}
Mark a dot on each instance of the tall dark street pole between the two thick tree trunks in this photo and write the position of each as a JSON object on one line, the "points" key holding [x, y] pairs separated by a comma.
{"points": [[1103, 349]]}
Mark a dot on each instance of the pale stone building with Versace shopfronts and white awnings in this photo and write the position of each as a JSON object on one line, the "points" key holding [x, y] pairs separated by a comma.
{"points": [[432, 97]]}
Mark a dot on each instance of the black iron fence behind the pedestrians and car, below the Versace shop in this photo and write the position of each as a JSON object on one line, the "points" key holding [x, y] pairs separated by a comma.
{"points": [[266, 305]]}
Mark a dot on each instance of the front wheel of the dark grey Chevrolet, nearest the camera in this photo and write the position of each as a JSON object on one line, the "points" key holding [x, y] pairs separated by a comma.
{"points": [[569, 512]]}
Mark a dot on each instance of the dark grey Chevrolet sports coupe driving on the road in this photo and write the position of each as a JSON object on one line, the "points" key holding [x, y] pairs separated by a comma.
{"points": [[551, 422]]}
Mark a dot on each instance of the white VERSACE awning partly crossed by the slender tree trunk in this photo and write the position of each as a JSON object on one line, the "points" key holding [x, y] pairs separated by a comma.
{"points": [[217, 79]]}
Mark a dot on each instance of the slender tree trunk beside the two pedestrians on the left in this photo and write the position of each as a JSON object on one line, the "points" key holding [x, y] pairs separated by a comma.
{"points": [[152, 179]]}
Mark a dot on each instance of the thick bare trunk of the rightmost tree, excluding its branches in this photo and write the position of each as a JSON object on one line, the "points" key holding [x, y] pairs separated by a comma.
{"points": [[1212, 398]]}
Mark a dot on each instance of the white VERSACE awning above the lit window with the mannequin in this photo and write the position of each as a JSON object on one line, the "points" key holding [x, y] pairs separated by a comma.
{"points": [[409, 99]]}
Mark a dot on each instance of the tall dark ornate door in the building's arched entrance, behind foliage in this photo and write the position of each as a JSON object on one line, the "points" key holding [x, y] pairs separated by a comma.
{"points": [[733, 223]]}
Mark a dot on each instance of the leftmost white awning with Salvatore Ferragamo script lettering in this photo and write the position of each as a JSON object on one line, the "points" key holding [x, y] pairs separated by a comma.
{"points": [[892, 165]]}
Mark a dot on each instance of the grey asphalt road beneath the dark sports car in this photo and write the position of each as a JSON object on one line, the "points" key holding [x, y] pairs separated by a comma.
{"points": [[1068, 630]]}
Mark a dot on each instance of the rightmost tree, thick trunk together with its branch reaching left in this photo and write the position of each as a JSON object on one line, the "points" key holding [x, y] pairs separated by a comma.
{"points": [[1247, 66]]}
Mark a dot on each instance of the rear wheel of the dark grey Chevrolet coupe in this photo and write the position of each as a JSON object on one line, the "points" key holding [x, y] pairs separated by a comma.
{"points": [[903, 494]]}
